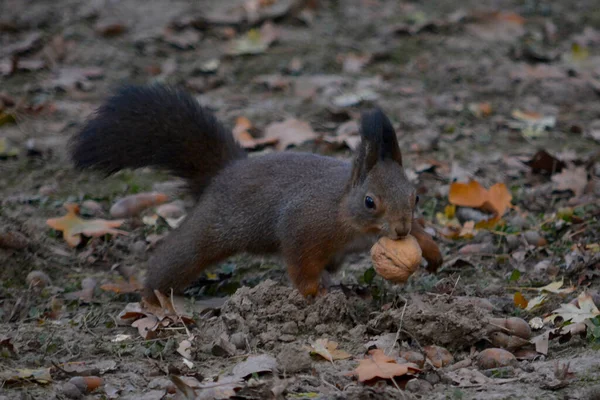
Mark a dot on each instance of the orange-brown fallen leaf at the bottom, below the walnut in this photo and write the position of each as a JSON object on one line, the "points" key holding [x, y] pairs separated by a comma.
{"points": [[377, 365]]}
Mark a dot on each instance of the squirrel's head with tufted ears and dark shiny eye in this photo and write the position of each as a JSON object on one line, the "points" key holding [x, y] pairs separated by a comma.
{"points": [[380, 197]]}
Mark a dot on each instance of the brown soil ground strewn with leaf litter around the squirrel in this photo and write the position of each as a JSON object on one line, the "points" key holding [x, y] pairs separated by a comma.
{"points": [[450, 75]]}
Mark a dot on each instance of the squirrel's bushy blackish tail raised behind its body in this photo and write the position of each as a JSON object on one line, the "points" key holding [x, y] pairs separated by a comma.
{"points": [[156, 126]]}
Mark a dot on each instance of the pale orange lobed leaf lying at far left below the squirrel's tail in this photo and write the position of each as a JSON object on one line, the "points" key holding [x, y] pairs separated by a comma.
{"points": [[72, 226]]}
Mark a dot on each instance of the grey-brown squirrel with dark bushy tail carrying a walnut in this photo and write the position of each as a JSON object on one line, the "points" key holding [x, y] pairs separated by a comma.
{"points": [[310, 209]]}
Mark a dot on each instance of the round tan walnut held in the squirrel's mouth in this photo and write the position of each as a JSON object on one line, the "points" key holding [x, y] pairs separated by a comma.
{"points": [[396, 260]]}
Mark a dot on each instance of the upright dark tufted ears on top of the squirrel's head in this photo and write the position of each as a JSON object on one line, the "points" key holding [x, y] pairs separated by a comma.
{"points": [[378, 142]]}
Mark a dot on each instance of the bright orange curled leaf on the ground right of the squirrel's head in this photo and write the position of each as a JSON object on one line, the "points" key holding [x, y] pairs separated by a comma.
{"points": [[497, 199]]}
